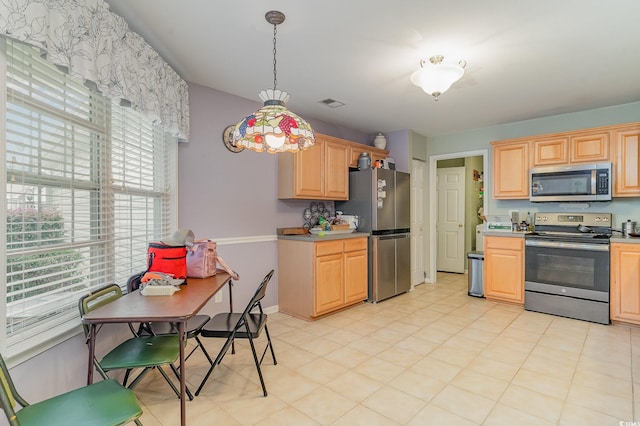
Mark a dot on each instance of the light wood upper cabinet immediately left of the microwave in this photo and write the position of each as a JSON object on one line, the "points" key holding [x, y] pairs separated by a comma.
{"points": [[511, 170]]}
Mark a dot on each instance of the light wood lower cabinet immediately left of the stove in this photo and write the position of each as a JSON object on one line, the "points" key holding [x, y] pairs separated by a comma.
{"points": [[504, 268]]}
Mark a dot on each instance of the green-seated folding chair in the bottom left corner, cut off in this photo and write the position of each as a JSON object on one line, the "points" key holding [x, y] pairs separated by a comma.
{"points": [[104, 403]]}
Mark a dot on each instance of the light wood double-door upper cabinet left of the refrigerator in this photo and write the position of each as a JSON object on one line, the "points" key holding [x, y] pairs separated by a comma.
{"points": [[321, 172]]}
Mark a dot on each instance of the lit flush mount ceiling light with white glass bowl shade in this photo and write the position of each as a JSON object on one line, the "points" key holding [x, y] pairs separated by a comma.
{"points": [[436, 77]]}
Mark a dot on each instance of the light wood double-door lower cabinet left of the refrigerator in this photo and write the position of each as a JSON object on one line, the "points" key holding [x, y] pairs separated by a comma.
{"points": [[317, 278]]}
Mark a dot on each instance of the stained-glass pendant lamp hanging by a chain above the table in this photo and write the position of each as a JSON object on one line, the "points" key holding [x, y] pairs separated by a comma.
{"points": [[273, 128]]}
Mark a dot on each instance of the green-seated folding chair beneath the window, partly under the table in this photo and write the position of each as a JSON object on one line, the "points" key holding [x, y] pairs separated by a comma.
{"points": [[139, 352]]}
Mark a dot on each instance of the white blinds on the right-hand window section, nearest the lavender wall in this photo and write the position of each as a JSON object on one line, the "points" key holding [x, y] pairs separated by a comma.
{"points": [[141, 187]]}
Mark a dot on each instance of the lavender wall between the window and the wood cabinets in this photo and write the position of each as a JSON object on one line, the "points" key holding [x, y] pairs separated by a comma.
{"points": [[232, 198]]}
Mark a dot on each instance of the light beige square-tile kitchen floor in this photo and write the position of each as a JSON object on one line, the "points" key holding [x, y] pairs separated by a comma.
{"points": [[433, 356]]}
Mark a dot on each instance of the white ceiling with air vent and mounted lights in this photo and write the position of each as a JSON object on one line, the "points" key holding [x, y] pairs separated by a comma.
{"points": [[524, 59]]}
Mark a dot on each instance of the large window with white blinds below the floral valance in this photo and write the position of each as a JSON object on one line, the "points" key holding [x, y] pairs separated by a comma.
{"points": [[88, 184]]}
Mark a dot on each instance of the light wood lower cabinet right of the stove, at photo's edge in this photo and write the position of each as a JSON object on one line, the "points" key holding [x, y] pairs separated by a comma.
{"points": [[625, 283]]}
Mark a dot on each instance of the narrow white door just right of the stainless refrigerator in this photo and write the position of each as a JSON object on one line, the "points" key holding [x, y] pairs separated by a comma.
{"points": [[417, 222]]}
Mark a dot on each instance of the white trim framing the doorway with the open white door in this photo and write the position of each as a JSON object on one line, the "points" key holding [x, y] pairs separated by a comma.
{"points": [[433, 159]]}
